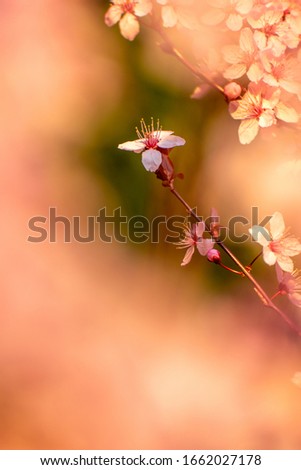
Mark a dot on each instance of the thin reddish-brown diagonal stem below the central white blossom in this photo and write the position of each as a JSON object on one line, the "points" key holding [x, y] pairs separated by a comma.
{"points": [[244, 270]]}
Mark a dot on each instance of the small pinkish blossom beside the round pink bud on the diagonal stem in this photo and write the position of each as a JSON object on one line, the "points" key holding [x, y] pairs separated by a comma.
{"points": [[193, 234]]}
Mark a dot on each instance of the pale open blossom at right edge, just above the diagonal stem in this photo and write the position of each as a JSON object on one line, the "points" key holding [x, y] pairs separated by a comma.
{"points": [[278, 246]]}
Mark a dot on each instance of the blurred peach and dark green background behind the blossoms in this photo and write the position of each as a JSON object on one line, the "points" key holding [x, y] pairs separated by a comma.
{"points": [[115, 345]]}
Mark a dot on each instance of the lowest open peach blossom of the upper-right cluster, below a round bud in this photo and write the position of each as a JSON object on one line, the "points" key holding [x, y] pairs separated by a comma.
{"points": [[260, 107]]}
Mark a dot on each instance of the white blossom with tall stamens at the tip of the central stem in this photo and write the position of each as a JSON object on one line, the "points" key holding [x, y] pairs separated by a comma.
{"points": [[151, 142]]}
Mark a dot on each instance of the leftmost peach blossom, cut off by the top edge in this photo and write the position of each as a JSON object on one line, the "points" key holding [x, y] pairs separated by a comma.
{"points": [[125, 12]]}
